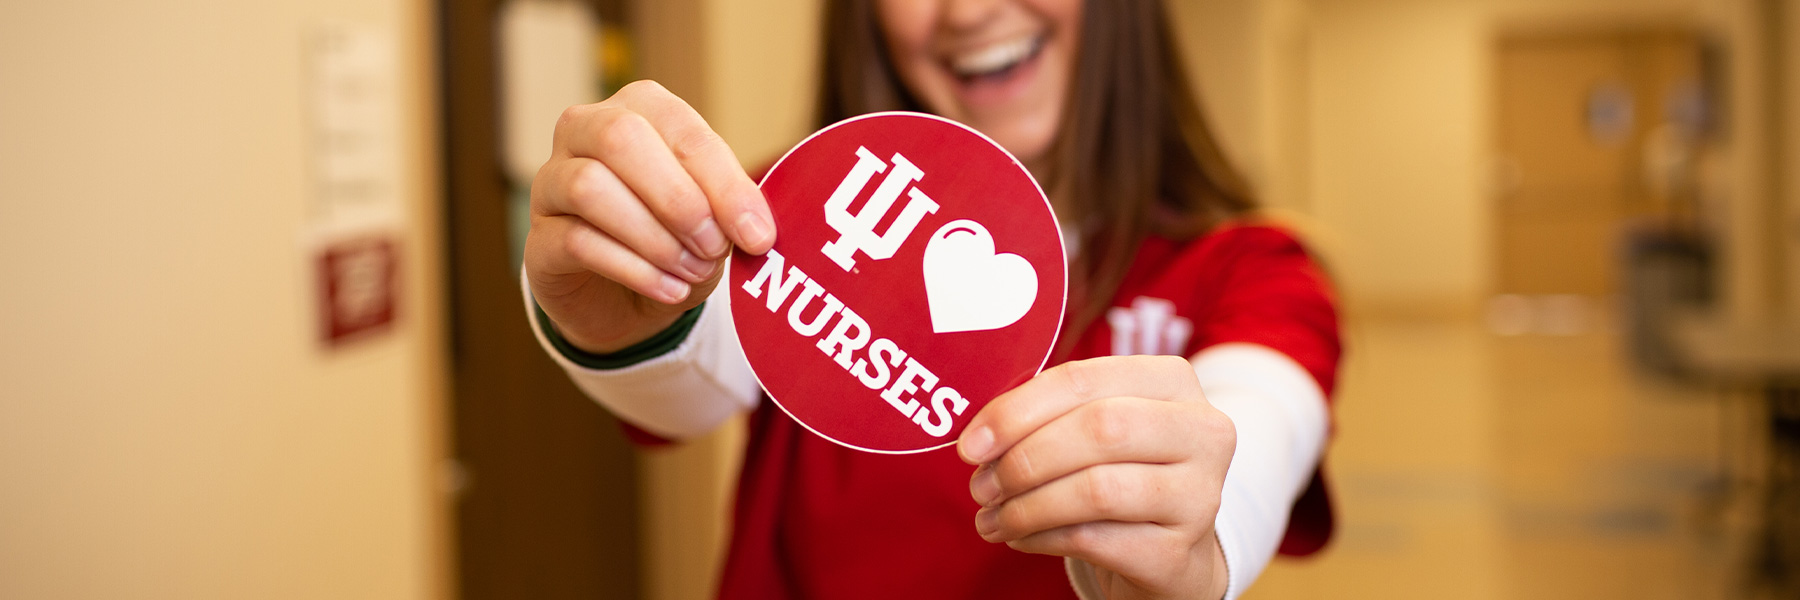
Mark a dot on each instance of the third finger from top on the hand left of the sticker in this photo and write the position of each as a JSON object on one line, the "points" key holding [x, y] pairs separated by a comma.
{"points": [[589, 190]]}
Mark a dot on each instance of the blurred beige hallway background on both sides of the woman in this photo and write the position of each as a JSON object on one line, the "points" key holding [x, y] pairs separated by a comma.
{"points": [[1567, 239]]}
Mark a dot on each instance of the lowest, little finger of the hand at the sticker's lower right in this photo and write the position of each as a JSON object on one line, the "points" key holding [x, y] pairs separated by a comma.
{"points": [[1135, 550]]}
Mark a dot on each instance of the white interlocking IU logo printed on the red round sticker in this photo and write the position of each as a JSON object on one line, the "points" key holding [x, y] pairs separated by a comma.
{"points": [[858, 232]]}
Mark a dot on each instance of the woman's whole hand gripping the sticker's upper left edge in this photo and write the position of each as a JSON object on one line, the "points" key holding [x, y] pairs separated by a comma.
{"points": [[634, 215]]}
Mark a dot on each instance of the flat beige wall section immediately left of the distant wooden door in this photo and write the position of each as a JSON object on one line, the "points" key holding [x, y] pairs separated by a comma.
{"points": [[1398, 141]]}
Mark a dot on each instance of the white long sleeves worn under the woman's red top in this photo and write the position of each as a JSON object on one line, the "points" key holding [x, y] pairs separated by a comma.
{"points": [[1273, 403]]}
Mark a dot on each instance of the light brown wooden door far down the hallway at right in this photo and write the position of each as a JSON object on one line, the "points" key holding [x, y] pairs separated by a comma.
{"points": [[1587, 127]]}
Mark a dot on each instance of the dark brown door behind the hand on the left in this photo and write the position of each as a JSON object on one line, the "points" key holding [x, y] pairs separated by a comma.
{"points": [[550, 505]]}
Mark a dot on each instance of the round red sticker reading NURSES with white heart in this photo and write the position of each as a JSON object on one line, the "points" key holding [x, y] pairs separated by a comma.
{"points": [[917, 275]]}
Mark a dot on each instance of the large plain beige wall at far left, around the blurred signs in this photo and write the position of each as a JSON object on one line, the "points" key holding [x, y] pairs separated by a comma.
{"points": [[168, 424]]}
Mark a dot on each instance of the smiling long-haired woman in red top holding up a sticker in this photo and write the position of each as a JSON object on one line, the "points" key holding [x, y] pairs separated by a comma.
{"points": [[1196, 343]]}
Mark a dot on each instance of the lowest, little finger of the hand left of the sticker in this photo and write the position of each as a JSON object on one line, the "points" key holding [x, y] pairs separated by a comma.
{"points": [[568, 244]]}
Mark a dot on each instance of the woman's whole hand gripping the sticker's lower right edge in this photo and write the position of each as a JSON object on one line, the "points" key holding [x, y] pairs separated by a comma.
{"points": [[1117, 462]]}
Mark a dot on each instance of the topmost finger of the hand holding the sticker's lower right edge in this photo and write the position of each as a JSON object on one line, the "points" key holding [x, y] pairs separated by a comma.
{"points": [[1052, 394]]}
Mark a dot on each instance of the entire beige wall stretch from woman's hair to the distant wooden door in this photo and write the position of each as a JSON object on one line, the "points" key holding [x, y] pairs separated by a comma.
{"points": [[1354, 118]]}
